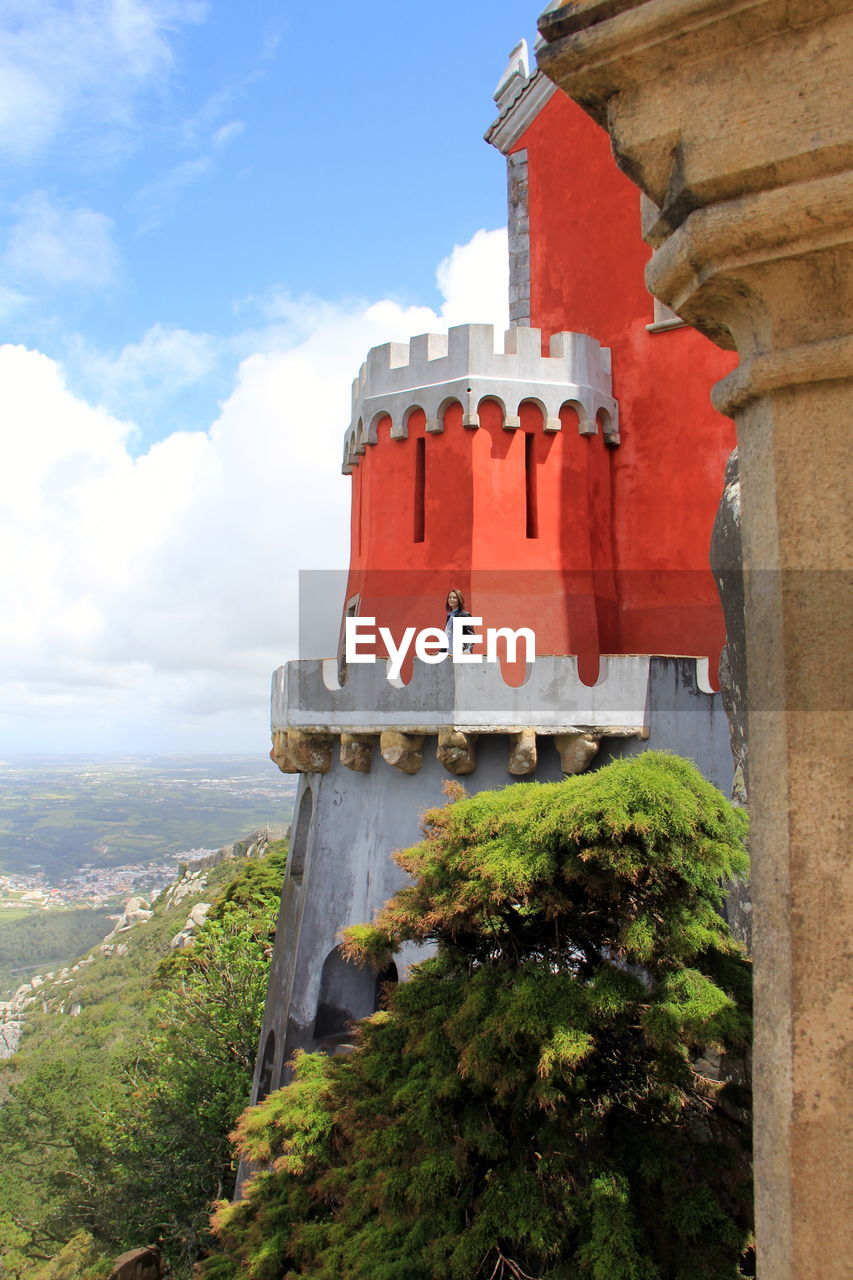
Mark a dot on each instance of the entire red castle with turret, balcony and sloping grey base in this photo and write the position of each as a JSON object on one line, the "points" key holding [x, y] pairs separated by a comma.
{"points": [[565, 478]]}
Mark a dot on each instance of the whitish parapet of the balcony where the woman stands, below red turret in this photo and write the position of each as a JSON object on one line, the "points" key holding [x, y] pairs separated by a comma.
{"points": [[473, 700]]}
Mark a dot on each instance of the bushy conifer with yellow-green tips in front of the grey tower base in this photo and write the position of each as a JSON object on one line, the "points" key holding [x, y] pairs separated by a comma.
{"points": [[531, 1104]]}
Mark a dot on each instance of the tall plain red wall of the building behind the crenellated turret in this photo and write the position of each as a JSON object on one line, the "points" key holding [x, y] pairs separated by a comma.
{"points": [[587, 275]]}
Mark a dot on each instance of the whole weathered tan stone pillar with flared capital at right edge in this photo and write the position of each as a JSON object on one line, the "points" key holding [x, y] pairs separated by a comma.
{"points": [[736, 120]]}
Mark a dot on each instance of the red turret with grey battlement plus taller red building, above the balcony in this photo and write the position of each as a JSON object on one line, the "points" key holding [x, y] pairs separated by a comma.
{"points": [[568, 481]]}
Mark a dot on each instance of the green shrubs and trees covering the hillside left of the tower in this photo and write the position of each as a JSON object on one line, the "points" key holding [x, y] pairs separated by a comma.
{"points": [[113, 1124]]}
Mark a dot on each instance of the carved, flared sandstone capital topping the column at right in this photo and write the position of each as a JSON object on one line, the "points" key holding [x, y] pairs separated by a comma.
{"points": [[719, 112]]}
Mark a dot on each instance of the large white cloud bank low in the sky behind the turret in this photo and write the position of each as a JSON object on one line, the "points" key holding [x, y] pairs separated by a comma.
{"points": [[148, 598]]}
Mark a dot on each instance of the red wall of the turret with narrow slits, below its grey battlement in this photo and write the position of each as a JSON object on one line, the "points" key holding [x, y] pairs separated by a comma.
{"points": [[476, 531]]}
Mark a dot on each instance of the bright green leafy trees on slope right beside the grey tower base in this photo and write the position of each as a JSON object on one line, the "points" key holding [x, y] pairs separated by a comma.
{"points": [[172, 1155]]}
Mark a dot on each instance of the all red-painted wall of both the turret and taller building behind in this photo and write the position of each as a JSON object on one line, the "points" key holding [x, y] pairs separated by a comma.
{"points": [[617, 559]]}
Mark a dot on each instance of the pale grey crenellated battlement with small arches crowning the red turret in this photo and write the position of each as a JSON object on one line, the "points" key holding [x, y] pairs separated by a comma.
{"points": [[436, 371]]}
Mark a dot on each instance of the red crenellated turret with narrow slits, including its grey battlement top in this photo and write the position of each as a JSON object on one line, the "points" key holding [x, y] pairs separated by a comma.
{"points": [[486, 470]]}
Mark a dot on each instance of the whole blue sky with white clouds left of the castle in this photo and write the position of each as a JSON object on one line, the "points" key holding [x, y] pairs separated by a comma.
{"points": [[208, 214]]}
